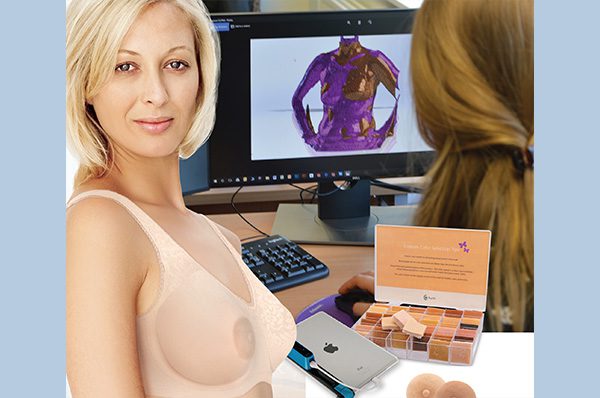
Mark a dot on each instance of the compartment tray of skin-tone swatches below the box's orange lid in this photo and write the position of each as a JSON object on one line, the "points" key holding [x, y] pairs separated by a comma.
{"points": [[451, 336]]}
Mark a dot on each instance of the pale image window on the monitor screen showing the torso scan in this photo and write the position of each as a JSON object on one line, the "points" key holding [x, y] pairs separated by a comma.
{"points": [[331, 96]]}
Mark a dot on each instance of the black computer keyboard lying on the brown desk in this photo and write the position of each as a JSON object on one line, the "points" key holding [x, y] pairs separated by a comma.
{"points": [[280, 263]]}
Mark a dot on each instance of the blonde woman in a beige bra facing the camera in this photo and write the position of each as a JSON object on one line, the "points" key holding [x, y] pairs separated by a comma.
{"points": [[159, 303]]}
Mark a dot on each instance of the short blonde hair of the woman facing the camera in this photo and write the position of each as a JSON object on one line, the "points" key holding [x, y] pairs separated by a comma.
{"points": [[95, 30]]}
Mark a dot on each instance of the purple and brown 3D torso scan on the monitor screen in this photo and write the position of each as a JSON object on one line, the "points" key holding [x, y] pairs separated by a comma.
{"points": [[349, 77]]}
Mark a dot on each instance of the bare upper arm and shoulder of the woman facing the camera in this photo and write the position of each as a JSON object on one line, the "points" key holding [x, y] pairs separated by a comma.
{"points": [[105, 270]]}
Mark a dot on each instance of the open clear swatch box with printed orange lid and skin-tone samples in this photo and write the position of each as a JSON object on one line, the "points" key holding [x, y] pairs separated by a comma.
{"points": [[439, 277]]}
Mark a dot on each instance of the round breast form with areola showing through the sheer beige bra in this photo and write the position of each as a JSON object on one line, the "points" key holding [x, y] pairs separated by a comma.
{"points": [[205, 336]]}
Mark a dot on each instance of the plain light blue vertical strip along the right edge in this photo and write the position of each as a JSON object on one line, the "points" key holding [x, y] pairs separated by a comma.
{"points": [[567, 205]]}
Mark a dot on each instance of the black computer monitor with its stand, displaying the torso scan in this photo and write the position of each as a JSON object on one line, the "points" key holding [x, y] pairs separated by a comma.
{"points": [[317, 97]]}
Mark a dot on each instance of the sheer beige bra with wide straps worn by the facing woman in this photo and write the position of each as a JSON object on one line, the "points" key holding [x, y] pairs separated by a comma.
{"points": [[199, 339]]}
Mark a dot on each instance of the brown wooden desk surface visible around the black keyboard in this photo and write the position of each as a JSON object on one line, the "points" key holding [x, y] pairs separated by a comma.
{"points": [[343, 261]]}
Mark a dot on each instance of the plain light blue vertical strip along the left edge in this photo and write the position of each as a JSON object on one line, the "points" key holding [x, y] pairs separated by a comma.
{"points": [[32, 182]]}
